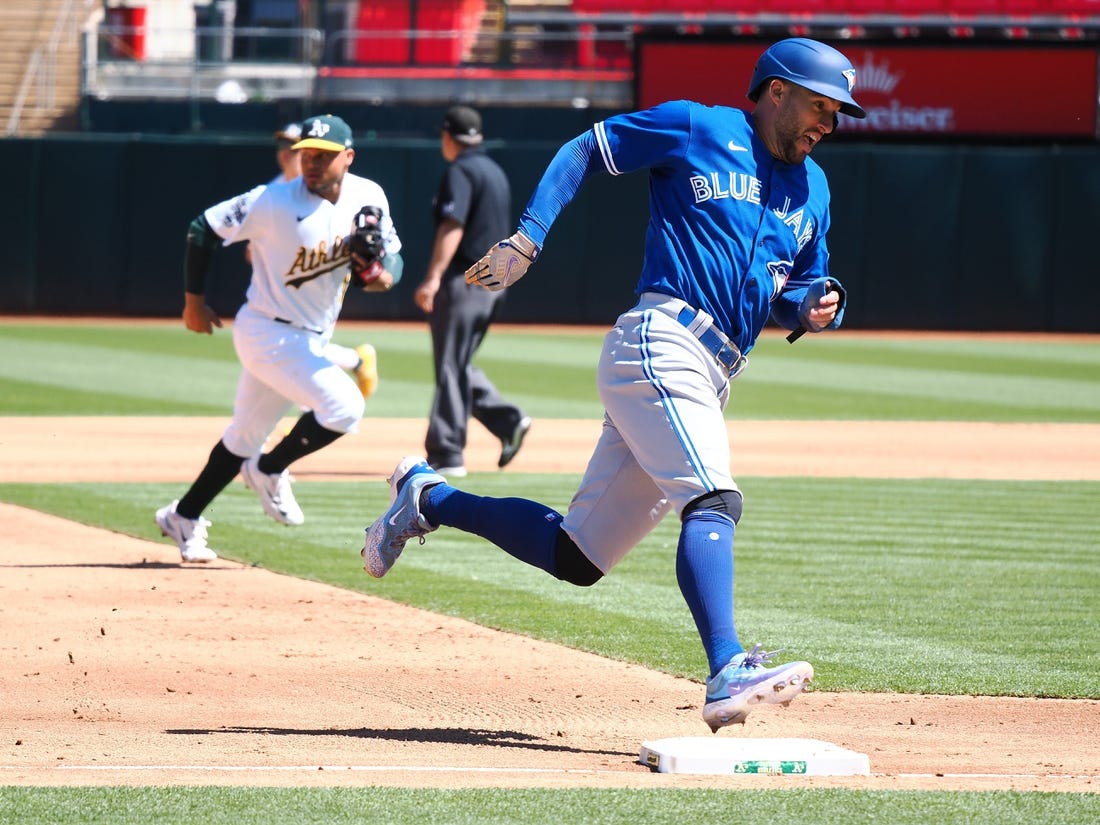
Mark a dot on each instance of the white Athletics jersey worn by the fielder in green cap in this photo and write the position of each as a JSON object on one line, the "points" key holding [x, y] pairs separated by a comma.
{"points": [[300, 246]]}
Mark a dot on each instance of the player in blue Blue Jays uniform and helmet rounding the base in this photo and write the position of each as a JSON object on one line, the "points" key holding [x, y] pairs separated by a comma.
{"points": [[739, 219]]}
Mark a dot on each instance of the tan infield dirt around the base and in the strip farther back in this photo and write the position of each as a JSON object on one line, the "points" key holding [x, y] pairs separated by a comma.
{"points": [[120, 667]]}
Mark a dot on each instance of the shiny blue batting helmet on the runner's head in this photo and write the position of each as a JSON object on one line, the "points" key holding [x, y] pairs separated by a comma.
{"points": [[810, 64]]}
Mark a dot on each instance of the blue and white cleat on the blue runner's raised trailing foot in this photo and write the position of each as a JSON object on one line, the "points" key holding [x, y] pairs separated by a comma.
{"points": [[387, 537]]}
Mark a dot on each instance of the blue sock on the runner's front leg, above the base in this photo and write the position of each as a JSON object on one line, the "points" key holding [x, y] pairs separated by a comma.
{"points": [[706, 576]]}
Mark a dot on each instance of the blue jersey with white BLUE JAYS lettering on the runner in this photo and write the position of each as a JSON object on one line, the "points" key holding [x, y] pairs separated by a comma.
{"points": [[731, 227]]}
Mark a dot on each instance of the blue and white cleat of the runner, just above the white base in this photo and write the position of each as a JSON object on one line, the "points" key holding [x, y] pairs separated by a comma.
{"points": [[745, 683]]}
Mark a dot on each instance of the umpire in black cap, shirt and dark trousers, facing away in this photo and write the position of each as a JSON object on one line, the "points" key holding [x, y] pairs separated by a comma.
{"points": [[472, 211]]}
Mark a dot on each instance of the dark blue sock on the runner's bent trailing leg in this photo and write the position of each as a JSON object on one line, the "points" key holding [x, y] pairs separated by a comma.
{"points": [[523, 529]]}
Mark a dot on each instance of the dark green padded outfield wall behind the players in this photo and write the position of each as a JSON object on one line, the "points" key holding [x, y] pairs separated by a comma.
{"points": [[925, 237]]}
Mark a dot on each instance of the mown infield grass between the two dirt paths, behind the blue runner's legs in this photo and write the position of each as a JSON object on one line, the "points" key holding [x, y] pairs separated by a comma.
{"points": [[909, 586]]}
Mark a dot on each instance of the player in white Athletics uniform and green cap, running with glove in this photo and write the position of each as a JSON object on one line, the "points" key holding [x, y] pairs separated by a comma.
{"points": [[302, 267]]}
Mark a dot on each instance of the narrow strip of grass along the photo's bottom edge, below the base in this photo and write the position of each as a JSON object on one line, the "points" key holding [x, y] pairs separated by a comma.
{"points": [[555, 807]]}
